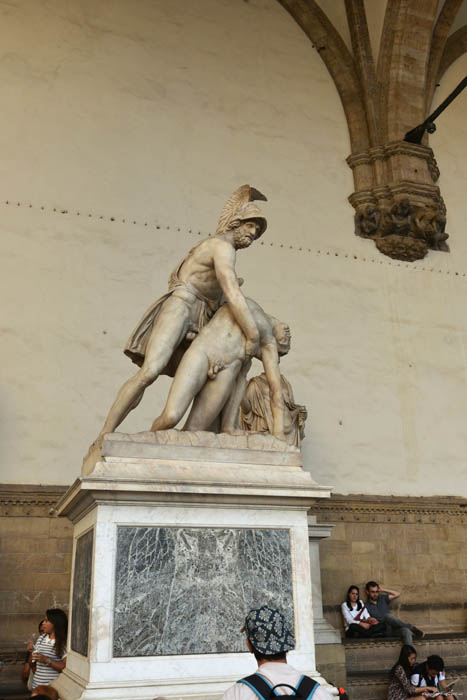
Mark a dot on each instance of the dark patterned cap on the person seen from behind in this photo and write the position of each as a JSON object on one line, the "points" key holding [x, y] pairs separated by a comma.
{"points": [[267, 631]]}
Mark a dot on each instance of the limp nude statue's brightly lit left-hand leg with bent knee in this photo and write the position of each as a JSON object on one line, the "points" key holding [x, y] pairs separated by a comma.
{"points": [[191, 374]]}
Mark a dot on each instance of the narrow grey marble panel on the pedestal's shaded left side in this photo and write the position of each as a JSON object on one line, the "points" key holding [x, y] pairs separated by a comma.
{"points": [[81, 593]]}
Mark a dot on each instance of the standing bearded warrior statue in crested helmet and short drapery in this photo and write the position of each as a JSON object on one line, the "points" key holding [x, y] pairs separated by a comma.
{"points": [[197, 287]]}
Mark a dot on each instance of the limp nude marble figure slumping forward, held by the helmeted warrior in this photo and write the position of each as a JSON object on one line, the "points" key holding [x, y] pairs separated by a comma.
{"points": [[213, 372]]}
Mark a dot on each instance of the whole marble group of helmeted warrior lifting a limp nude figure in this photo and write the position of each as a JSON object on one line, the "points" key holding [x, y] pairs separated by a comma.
{"points": [[204, 333]]}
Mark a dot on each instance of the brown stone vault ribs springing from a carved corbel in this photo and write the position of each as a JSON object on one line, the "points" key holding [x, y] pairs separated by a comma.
{"points": [[396, 199]]}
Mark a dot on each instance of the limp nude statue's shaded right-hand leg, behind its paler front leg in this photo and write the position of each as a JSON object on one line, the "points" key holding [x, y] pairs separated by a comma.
{"points": [[210, 401]]}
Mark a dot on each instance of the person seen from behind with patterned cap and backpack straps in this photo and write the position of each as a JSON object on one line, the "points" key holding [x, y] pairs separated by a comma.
{"points": [[268, 638]]}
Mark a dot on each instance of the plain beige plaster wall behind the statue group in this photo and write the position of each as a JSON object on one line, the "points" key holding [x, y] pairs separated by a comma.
{"points": [[154, 116]]}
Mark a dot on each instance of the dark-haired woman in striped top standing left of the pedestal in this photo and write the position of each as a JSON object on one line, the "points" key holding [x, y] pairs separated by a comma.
{"points": [[49, 655]]}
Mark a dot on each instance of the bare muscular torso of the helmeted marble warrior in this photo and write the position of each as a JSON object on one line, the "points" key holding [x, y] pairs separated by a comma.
{"points": [[198, 268]]}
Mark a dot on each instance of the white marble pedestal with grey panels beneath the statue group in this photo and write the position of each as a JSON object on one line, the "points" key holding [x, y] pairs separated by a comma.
{"points": [[176, 536]]}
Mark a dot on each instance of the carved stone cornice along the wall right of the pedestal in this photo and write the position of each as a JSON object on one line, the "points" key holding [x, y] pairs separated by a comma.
{"points": [[387, 509]]}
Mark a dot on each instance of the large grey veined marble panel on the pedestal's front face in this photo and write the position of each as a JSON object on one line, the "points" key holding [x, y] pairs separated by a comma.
{"points": [[187, 590]]}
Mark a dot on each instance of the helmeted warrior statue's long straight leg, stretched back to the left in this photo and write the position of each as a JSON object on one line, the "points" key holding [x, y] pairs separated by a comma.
{"points": [[169, 330]]}
